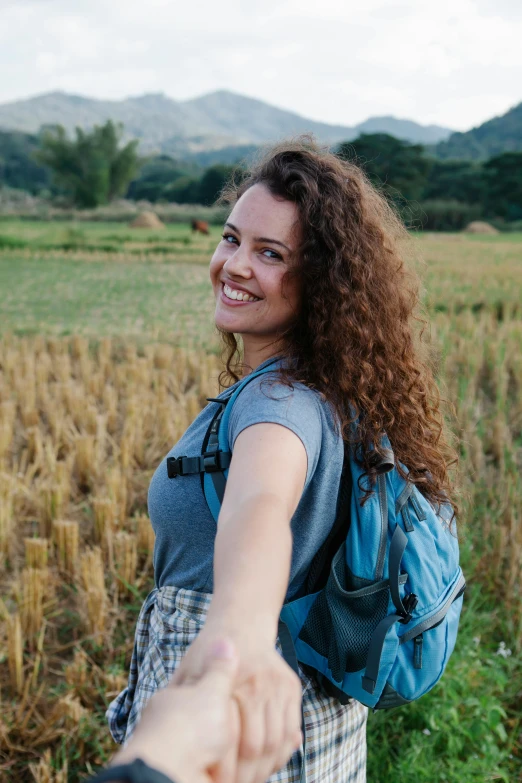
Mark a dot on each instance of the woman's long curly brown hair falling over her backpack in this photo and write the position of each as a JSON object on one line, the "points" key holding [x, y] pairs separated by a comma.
{"points": [[354, 338]]}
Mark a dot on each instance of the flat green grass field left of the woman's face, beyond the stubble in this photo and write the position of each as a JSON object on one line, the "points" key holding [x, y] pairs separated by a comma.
{"points": [[88, 292]]}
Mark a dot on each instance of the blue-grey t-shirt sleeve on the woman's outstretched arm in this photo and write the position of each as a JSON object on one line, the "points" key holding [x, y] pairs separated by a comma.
{"points": [[297, 409]]}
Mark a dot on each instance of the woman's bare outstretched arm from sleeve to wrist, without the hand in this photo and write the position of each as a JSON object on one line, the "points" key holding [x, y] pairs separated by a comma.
{"points": [[254, 541]]}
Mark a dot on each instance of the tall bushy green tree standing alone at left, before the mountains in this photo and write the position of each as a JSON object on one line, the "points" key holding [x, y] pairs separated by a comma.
{"points": [[92, 168]]}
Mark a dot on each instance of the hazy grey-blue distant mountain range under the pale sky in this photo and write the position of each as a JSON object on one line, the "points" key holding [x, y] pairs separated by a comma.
{"points": [[219, 121]]}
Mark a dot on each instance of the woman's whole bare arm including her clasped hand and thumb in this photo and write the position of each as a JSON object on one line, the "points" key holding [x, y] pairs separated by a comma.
{"points": [[251, 572]]}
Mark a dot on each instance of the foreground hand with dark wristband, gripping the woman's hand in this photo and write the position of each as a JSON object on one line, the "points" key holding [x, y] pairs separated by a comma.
{"points": [[190, 732]]}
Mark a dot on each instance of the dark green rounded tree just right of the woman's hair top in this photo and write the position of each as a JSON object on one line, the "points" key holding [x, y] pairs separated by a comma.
{"points": [[398, 167]]}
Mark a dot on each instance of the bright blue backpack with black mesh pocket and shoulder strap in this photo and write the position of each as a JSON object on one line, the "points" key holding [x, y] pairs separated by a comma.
{"points": [[377, 618]]}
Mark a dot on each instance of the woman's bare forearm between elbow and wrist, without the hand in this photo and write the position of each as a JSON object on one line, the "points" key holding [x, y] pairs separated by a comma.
{"points": [[251, 568]]}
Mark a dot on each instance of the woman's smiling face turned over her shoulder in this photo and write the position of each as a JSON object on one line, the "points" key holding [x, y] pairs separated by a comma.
{"points": [[258, 246]]}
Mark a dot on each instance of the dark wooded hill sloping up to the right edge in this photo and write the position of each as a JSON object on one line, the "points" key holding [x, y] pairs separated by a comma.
{"points": [[501, 134]]}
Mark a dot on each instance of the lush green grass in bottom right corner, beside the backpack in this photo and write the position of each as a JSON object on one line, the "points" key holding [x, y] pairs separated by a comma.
{"points": [[467, 729]]}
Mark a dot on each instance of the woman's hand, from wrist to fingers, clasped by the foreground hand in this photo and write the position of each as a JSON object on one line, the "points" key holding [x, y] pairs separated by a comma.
{"points": [[268, 694]]}
